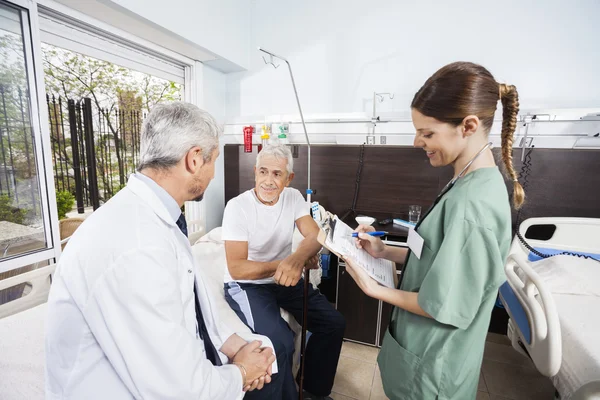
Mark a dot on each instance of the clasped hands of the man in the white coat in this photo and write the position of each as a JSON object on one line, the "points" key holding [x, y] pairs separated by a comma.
{"points": [[257, 364]]}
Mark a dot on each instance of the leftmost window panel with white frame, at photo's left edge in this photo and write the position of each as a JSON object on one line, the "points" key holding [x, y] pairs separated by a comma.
{"points": [[25, 228]]}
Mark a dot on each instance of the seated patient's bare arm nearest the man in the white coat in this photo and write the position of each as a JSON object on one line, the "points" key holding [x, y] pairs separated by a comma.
{"points": [[240, 268]]}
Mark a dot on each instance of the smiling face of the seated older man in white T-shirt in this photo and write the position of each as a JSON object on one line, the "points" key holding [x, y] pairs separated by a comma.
{"points": [[271, 178]]}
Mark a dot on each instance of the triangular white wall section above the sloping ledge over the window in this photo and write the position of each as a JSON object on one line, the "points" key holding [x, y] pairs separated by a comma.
{"points": [[221, 27]]}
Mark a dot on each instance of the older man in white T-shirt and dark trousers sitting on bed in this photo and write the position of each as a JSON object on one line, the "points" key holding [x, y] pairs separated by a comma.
{"points": [[264, 275]]}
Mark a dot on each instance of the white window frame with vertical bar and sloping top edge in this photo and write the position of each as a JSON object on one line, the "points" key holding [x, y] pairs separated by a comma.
{"points": [[192, 81]]}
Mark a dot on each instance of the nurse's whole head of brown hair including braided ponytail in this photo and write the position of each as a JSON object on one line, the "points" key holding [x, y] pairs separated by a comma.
{"points": [[461, 89]]}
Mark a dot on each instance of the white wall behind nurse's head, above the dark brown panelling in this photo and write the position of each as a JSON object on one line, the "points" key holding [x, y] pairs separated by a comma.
{"points": [[343, 50]]}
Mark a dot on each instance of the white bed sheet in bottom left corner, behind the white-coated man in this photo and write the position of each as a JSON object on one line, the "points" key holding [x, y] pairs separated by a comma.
{"points": [[22, 355]]}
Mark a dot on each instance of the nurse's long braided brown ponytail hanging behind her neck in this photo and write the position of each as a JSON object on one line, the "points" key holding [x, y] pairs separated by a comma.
{"points": [[510, 109]]}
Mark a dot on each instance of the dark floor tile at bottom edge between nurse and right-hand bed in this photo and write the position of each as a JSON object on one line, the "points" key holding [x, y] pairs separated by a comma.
{"points": [[516, 382]]}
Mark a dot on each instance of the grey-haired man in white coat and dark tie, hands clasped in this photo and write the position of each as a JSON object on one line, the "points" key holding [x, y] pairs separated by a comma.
{"points": [[123, 318]]}
